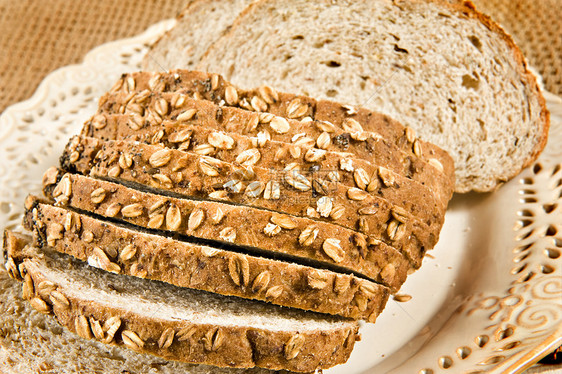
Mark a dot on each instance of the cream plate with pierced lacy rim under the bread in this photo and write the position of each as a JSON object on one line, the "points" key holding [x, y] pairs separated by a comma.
{"points": [[487, 299]]}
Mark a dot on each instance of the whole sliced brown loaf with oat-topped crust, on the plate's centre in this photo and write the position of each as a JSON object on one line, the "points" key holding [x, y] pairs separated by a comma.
{"points": [[202, 223]]}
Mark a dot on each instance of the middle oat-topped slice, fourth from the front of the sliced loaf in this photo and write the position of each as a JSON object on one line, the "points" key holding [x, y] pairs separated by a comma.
{"points": [[203, 177]]}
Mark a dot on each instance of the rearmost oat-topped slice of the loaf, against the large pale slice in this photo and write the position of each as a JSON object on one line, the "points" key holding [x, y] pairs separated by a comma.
{"points": [[213, 87]]}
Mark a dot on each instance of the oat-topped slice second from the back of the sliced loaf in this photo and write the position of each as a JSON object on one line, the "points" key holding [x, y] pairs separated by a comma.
{"points": [[149, 110]]}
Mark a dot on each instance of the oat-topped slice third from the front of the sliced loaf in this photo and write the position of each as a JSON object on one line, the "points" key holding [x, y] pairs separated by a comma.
{"points": [[265, 233]]}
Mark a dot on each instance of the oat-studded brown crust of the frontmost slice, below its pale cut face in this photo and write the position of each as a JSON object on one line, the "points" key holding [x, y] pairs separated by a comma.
{"points": [[185, 340]]}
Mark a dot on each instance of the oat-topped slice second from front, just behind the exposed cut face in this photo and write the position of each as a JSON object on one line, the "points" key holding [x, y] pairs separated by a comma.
{"points": [[215, 268]]}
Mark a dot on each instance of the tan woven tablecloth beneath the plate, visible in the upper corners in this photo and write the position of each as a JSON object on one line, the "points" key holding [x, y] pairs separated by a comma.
{"points": [[39, 36]]}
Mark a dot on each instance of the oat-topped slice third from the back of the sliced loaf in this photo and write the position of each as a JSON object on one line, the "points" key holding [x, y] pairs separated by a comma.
{"points": [[207, 139]]}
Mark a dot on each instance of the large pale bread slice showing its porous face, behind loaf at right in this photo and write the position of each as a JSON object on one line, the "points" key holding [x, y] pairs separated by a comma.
{"points": [[440, 67]]}
